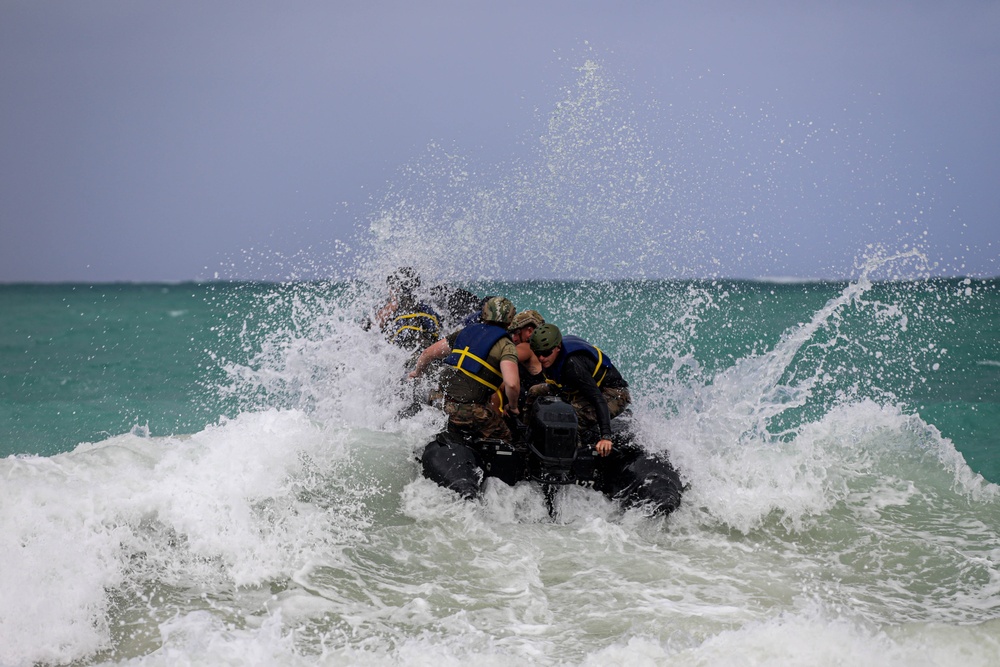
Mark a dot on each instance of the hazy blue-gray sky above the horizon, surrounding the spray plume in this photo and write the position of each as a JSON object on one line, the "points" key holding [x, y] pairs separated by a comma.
{"points": [[176, 140]]}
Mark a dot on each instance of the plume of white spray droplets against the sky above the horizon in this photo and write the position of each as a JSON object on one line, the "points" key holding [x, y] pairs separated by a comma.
{"points": [[588, 201]]}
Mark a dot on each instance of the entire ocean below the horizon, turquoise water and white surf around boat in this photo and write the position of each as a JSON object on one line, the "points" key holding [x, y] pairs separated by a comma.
{"points": [[214, 473]]}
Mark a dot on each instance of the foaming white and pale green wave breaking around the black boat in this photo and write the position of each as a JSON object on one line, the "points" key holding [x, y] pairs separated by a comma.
{"points": [[273, 534]]}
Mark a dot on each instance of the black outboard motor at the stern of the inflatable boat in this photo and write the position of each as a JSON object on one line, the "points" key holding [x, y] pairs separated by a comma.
{"points": [[552, 438]]}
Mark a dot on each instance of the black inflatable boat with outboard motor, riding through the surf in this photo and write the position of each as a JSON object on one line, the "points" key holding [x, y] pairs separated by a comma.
{"points": [[552, 450]]}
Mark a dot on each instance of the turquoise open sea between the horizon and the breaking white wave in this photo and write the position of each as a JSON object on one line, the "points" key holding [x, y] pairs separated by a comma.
{"points": [[85, 362]]}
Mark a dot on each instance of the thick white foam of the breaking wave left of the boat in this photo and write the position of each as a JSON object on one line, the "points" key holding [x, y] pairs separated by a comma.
{"points": [[221, 508]]}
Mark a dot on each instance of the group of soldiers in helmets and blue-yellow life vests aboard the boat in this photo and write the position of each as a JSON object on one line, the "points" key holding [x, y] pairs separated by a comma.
{"points": [[496, 361]]}
